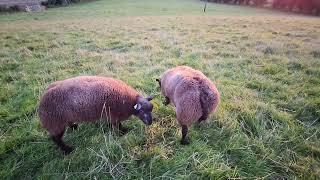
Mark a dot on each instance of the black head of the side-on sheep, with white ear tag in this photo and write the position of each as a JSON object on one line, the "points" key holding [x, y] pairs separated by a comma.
{"points": [[143, 110]]}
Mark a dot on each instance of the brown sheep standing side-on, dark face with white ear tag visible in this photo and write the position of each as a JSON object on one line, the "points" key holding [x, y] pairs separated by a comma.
{"points": [[88, 99]]}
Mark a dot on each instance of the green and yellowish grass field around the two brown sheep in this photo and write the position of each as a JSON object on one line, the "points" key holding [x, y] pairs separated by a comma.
{"points": [[266, 65]]}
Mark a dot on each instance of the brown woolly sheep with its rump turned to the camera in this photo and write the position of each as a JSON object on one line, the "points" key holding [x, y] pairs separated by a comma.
{"points": [[192, 93]]}
